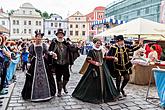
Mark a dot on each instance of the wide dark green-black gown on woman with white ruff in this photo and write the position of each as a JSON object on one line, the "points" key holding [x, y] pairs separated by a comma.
{"points": [[96, 85]]}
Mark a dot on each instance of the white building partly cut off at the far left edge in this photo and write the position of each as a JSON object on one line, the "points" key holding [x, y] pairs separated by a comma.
{"points": [[4, 19]]}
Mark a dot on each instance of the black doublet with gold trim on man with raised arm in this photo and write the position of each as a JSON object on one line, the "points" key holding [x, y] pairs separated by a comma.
{"points": [[122, 53]]}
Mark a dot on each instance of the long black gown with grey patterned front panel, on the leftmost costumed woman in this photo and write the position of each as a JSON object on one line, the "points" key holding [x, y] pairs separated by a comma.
{"points": [[39, 84]]}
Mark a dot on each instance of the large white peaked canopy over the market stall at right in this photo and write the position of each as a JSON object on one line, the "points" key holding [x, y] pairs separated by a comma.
{"points": [[137, 26]]}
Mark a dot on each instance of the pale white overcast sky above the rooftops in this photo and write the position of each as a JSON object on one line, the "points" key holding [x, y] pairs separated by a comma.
{"points": [[62, 7]]}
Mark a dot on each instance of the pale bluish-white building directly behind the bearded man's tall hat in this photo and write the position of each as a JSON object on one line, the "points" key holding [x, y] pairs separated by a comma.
{"points": [[51, 26]]}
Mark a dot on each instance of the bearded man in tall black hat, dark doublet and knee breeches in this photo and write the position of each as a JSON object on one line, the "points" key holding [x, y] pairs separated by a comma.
{"points": [[62, 58]]}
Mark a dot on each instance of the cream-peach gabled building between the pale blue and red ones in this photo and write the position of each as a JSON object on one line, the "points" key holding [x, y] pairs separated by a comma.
{"points": [[78, 27]]}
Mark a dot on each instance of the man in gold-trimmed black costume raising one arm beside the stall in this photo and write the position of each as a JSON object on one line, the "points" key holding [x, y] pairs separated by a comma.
{"points": [[123, 66]]}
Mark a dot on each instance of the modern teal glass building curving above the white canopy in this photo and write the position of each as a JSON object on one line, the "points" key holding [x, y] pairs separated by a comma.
{"points": [[130, 9]]}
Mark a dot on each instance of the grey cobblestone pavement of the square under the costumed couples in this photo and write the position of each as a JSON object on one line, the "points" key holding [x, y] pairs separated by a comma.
{"points": [[134, 101]]}
